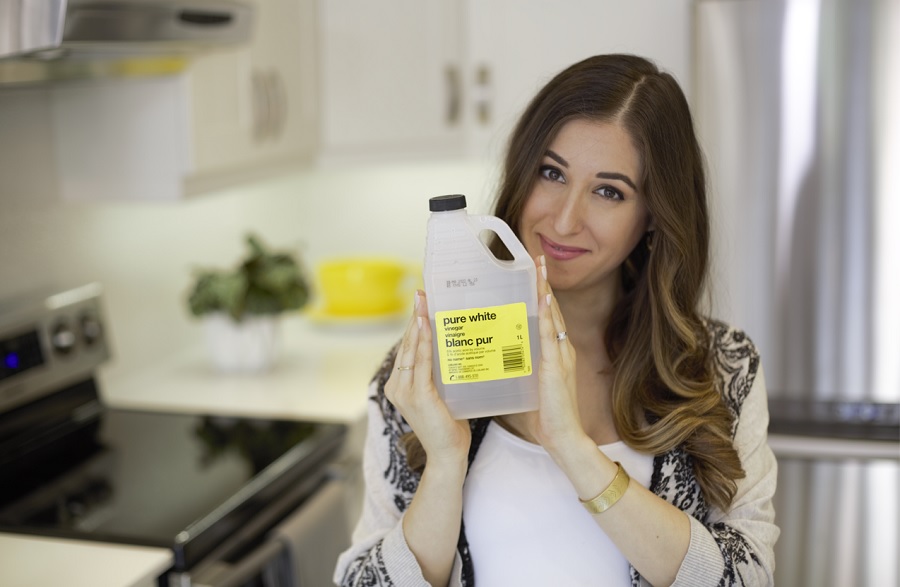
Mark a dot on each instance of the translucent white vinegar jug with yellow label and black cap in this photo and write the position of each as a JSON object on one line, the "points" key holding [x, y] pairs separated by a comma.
{"points": [[483, 314]]}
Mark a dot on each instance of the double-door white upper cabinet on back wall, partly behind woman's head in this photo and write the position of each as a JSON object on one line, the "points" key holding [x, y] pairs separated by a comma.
{"points": [[402, 78]]}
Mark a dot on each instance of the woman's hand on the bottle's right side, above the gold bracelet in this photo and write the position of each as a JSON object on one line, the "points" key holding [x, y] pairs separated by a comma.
{"points": [[557, 420]]}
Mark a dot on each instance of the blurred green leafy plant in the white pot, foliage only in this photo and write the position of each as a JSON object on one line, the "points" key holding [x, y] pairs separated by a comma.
{"points": [[265, 282]]}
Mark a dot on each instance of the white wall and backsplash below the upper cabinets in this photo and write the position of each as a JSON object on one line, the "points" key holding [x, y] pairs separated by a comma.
{"points": [[143, 252]]}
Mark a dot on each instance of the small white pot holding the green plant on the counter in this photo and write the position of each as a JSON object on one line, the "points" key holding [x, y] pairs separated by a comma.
{"points": [[248, 346]]}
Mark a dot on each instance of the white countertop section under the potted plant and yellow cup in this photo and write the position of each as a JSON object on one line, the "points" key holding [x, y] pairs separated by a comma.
{"points": [[322, 373]]}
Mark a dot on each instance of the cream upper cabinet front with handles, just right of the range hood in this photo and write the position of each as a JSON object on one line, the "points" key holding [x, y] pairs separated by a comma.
{"points": [[254, 108]]}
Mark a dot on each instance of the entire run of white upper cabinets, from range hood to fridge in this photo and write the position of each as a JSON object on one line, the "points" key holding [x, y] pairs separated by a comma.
{"points": [[347, 81]]}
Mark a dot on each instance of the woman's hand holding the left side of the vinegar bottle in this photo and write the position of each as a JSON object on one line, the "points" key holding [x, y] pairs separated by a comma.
{"points": [[412, 391]]}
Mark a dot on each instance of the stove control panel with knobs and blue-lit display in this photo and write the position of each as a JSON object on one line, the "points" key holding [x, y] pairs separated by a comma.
{"points": [[48, 341]]}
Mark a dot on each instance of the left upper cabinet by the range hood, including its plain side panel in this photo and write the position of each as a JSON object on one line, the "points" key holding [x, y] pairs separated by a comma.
{"points": [[233, 115]]}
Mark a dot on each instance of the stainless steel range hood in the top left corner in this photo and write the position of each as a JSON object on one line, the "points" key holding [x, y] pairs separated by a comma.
{"points": [[44, 40]]}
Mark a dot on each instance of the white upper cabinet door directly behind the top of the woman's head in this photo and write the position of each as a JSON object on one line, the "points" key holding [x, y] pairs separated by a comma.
{"points": [[515, 46]]}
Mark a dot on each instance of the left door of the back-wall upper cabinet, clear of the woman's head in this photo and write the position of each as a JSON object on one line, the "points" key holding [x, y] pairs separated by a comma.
{"points": [[390, 78]]}
